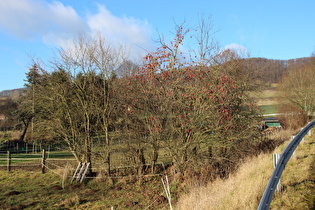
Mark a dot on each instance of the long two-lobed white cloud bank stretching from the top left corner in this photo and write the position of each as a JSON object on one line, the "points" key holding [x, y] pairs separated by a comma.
{"points": [[57, 24]]}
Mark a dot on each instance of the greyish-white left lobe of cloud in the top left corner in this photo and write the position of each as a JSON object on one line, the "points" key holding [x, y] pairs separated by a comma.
{"points": [[33, 19]]}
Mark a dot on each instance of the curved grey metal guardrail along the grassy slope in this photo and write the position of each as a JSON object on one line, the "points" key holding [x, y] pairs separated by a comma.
{"points": [[276, 174]]}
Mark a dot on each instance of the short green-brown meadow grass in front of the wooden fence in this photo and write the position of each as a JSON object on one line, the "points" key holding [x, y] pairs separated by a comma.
{"points": [[33, 190]]}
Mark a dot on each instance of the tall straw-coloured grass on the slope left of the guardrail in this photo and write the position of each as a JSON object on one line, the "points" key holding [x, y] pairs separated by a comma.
{"points": [[242, 190]]}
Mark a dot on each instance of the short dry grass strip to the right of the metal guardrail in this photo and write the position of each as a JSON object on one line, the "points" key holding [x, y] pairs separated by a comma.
{"points": [[296, 179]]}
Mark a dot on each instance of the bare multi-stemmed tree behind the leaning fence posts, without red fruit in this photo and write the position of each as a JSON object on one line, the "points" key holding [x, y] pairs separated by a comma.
{"points": [[78, 94]]}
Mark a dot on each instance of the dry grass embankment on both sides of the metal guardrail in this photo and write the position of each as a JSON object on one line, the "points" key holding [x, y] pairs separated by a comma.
{"points": [[243, 190]]}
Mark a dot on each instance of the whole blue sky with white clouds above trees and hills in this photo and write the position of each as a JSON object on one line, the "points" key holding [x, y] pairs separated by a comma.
{"points": [[36, 29]]}
